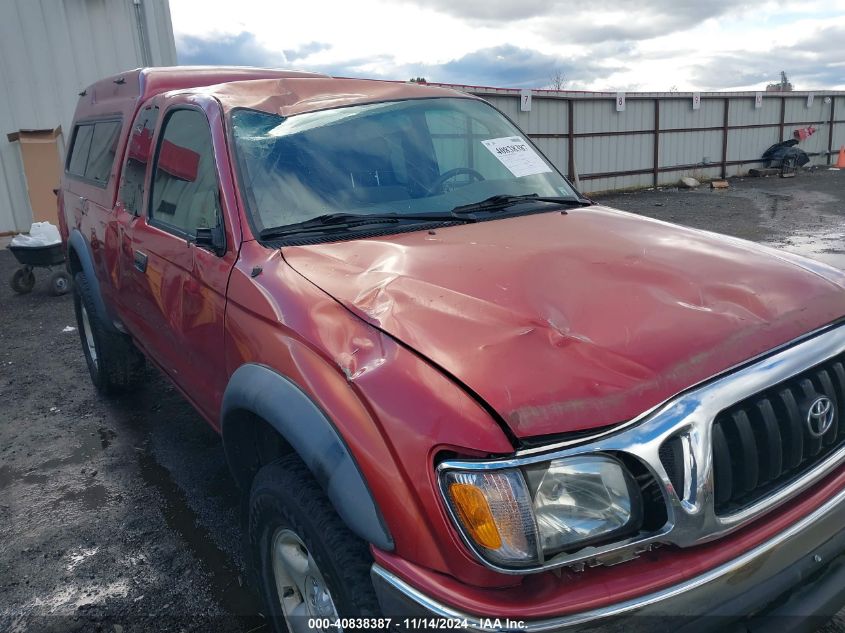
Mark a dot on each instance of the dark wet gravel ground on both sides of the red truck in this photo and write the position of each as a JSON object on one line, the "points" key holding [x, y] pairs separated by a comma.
{"points": [[120, 515]]}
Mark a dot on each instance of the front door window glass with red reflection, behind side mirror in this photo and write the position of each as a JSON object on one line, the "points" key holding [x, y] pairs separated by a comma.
{"points": [[185, 193]]}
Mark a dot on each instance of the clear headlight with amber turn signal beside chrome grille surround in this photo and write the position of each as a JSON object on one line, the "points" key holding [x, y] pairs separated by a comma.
{"points": [[520, 517]]}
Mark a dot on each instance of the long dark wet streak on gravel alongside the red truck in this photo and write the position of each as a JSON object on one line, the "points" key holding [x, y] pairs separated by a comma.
{"points": [[224, 574]]}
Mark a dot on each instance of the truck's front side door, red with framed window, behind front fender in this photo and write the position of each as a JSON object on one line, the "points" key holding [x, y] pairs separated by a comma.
{"points": [[174, 288]]}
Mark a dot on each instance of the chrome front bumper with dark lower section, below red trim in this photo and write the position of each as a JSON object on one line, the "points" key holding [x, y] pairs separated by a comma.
{"points": [[792, 582]]}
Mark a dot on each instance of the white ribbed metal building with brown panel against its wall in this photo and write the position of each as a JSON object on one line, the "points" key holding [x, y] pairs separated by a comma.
{"points": [[50, 50]]}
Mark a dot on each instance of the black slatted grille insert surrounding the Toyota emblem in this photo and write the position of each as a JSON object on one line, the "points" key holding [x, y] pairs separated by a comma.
{"points": [[763, 442]]}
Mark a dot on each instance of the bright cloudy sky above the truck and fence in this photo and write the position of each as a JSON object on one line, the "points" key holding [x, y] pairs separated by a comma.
{"points": [[648, 45]]}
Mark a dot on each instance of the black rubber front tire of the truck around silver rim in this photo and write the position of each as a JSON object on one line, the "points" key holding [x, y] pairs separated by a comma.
{"points": [[286, 503]]}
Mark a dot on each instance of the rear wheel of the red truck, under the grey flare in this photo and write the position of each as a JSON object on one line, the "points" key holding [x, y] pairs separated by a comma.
{"points": [[113, 361]]}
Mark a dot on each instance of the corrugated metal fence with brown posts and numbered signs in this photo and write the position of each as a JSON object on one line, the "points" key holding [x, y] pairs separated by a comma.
{"points": [[659, 137]]}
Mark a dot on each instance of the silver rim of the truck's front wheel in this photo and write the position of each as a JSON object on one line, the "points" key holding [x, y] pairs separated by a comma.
{"points": [[302, 590]]}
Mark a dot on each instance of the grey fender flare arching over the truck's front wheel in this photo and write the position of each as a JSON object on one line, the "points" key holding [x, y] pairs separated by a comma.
{"points": [[297, 418]]}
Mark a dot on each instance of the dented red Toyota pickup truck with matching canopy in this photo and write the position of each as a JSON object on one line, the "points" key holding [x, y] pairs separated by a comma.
{"points": [[455, 392]]}
